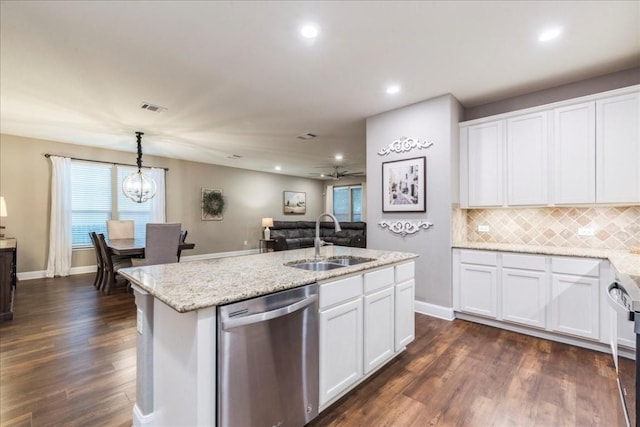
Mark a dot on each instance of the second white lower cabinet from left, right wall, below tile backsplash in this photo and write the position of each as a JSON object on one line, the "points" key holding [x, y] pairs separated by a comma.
{"points": [[524, 290]]}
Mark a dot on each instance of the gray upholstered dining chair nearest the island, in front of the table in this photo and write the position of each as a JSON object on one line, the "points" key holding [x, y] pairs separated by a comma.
{"points": [[161, 244]]}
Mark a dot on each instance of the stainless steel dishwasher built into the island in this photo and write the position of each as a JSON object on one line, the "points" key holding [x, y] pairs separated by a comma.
{"points": [[268, 360]]}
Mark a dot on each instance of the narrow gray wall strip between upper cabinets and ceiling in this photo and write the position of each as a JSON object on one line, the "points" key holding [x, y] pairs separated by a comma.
{"points": [[591, 86]]}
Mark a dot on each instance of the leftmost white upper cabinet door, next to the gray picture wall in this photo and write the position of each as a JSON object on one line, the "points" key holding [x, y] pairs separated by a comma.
{"points": [[485, 164]]}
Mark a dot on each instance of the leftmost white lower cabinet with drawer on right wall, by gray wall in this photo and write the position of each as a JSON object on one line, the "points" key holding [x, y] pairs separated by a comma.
{"points": [[478, 283]]}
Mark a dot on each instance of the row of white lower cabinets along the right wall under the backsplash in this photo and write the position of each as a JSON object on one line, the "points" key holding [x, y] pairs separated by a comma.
{"points": [[560, 295]]}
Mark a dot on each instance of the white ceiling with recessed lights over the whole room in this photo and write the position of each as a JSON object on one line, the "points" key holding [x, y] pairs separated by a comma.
{"points": [[237, 78]]}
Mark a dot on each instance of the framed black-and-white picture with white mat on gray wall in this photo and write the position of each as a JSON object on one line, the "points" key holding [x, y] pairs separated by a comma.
{"points": [[404, 185]]}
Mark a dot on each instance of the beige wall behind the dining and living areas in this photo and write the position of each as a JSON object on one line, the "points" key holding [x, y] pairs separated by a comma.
{"points": [[25, 176]]}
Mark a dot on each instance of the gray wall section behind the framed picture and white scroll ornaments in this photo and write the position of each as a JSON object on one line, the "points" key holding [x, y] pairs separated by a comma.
{"points": [[434, 120]]}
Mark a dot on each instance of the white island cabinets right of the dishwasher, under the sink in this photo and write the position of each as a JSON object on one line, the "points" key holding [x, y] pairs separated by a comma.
{"points": [[365, 321]]}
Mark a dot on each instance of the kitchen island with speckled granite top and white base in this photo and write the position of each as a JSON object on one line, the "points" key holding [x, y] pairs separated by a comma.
{"points": [[177, 322]]}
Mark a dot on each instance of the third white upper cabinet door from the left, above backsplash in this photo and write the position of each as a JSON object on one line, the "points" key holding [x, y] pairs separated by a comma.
{"points": [[574, 154]]}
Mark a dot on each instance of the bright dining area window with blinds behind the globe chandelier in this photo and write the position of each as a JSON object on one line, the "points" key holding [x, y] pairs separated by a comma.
{"points": [[92, 202]]}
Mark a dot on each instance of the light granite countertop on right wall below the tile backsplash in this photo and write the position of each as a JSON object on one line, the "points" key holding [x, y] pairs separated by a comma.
{"points": [[623, 261]]}
